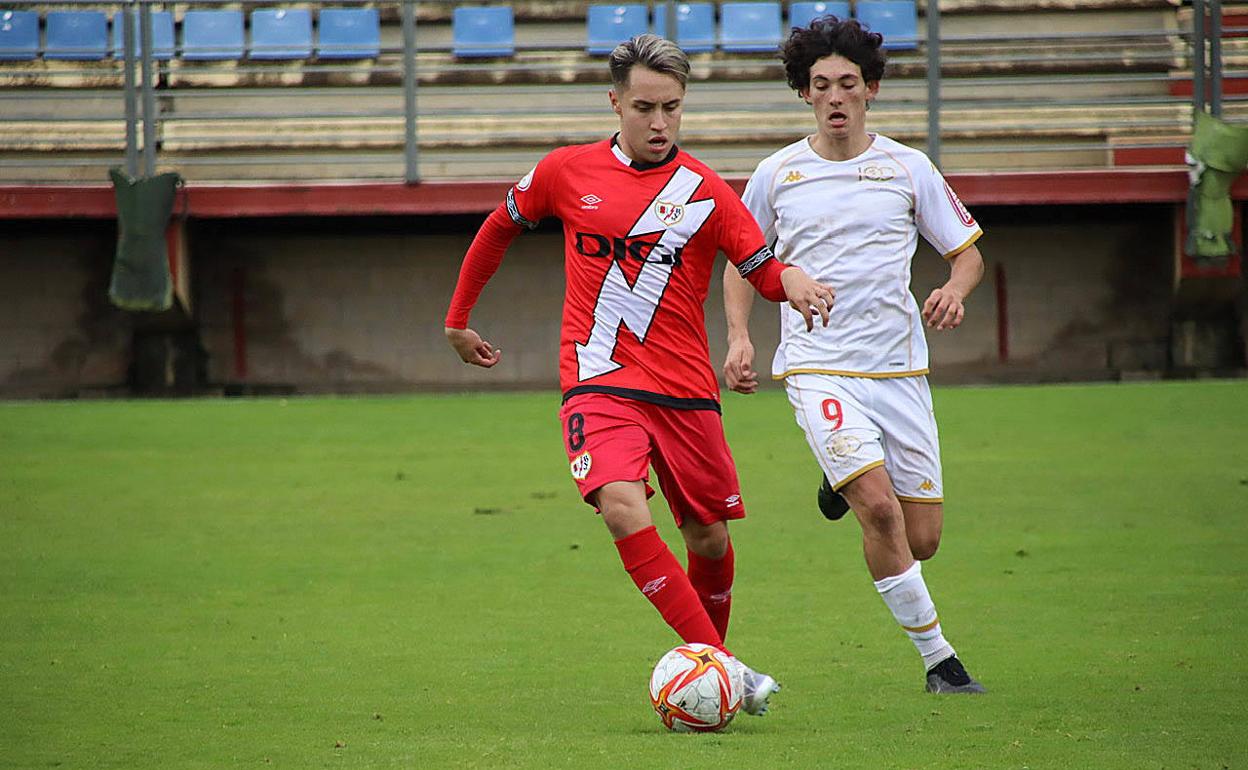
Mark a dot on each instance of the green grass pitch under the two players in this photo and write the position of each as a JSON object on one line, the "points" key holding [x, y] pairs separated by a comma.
{"points": [[412, 582]]}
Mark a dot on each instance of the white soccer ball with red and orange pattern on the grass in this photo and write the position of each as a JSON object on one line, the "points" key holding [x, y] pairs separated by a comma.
{"points": [[697, 688]]}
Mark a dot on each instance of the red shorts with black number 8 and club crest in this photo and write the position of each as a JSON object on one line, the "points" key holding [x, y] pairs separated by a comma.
{"points": [[617, 440]]}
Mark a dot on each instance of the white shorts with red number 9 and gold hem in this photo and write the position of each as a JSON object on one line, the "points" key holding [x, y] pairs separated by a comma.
{"points": [[857, 424]]}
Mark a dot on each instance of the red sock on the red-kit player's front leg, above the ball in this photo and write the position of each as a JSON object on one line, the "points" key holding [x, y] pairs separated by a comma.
{"points": [[661, 578]]}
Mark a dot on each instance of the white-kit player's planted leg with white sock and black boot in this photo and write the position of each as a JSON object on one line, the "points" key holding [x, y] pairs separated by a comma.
{"points": [[899, 577]]}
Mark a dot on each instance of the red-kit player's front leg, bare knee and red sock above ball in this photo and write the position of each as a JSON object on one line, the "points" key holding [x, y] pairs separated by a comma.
{"points": [[650, 562]]}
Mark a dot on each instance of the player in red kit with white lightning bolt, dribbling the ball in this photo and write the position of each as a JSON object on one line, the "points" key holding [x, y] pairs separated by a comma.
{"points": [[643, 223]]}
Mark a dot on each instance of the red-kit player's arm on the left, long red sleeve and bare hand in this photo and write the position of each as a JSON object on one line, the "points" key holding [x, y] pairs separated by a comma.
{"points": [[526, 205]]}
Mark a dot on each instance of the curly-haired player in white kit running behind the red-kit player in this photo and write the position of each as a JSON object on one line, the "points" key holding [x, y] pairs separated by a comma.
{"points": [[848, 207]]}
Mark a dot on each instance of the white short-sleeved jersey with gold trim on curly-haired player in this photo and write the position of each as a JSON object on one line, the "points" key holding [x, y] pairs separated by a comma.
{"points": [[854, 225]]}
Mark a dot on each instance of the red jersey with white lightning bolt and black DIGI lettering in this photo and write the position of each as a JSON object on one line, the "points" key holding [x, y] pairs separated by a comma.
{"points": [[640, 245]]}
